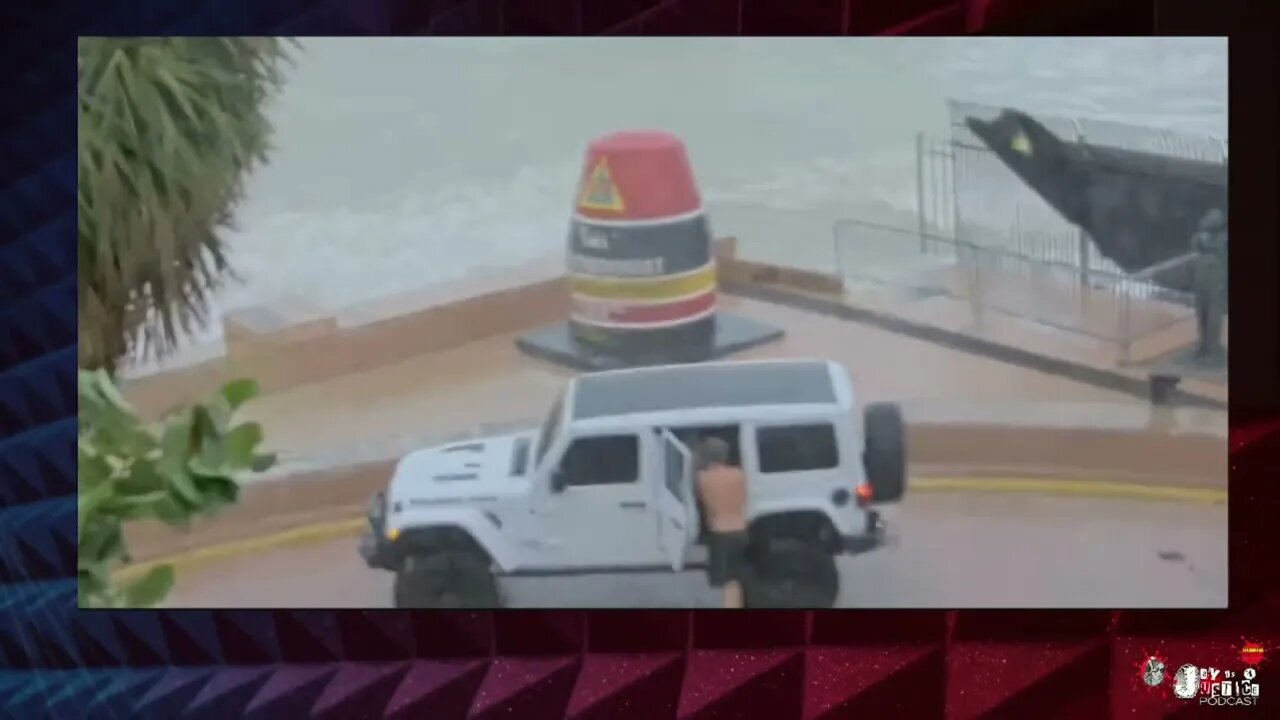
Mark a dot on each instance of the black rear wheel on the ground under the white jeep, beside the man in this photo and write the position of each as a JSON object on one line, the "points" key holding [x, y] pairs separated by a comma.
{"points": [[792, 575]]}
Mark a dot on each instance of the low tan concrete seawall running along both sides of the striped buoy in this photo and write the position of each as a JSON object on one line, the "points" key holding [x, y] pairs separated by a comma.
{"points": [[291, 344]]}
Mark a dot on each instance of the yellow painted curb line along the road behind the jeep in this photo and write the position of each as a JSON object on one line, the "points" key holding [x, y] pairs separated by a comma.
{"points": [[186, 562]]}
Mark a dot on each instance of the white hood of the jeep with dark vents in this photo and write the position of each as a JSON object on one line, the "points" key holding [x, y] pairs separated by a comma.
{"points": [[469, 470]]}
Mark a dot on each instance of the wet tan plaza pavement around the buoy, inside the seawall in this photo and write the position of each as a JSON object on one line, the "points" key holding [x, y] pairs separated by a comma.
{"points": [[492, 381]]}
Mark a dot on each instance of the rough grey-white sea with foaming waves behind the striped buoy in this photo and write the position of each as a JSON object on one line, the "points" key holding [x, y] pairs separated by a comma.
{"points": [[410, 162]]}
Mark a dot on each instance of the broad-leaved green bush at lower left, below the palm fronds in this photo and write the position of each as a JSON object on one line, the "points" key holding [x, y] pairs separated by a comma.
{"points": [[184, 467]]}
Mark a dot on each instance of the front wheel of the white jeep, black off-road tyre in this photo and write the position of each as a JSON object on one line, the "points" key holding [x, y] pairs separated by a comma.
{"points": [[450, 578]]}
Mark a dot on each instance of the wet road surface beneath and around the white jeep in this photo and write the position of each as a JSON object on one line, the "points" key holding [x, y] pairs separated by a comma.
{"points": [[953, 550]]}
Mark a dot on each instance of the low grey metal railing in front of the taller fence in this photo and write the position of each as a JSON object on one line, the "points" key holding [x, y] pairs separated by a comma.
{"points": [[1113, 308]]}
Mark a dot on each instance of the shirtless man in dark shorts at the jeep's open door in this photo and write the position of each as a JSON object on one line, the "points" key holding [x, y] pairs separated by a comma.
{"points": [[723, 490]]}
